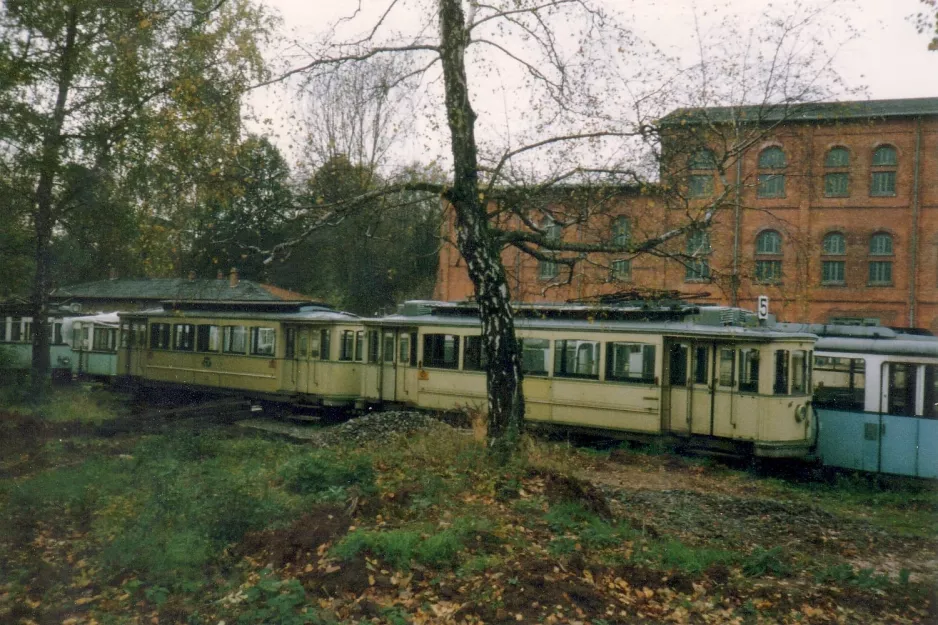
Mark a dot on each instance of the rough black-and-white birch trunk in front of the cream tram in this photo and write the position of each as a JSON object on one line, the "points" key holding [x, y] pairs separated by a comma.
{"points": [[478, 244]]}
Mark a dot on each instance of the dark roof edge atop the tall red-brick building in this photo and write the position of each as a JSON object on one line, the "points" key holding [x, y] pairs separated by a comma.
{"points": [[810, 112]]}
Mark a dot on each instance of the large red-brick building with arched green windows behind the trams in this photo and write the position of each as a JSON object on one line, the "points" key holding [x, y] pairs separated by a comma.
{"points": [[832, 212]]}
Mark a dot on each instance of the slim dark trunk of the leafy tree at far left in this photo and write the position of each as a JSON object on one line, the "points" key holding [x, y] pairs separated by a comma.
{"points": [[43, 217]]}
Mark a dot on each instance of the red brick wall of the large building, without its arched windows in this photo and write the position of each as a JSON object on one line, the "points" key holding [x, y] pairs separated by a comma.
{"points": [[803, 217]]}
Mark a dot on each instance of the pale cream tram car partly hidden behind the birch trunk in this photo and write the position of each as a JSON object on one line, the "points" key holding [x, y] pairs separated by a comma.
{"points": [[710, 376]]}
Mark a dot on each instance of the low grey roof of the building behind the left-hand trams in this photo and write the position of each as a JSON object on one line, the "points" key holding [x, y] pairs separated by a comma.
{"points": [[159, 289]]}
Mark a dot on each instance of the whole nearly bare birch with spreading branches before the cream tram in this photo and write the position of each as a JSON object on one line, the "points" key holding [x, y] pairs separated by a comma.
{"points": [[593, 95]]}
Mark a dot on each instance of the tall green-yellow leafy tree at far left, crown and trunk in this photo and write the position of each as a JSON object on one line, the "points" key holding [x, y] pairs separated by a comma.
{"points": [[116, 87]]}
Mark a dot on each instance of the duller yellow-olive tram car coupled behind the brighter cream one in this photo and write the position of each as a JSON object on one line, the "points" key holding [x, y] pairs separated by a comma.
{"points": [[299, 352]]}
